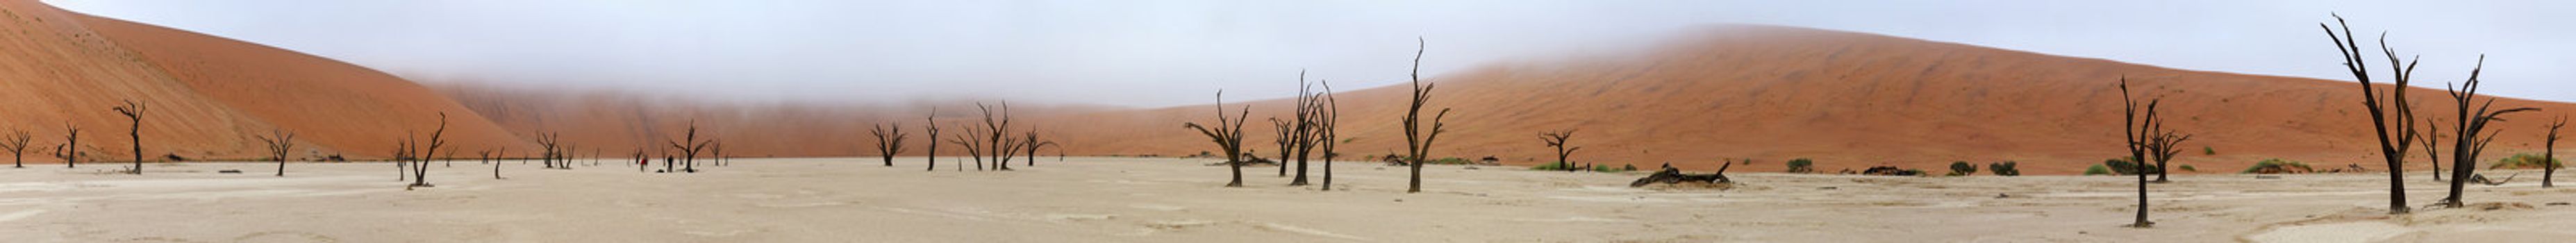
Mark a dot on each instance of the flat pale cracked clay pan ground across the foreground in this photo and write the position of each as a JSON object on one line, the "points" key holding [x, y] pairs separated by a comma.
{"points": [[1168, 200]]}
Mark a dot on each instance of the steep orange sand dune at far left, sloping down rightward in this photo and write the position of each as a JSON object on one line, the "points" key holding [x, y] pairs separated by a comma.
{"points": [[207, 97]]}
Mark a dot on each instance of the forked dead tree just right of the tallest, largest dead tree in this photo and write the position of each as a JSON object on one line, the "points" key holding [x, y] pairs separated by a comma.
{"points": [[2472, 131]]}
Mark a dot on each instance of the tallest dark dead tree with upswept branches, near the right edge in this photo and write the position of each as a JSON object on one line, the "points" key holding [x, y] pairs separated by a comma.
{"points": [[2394, 138]]}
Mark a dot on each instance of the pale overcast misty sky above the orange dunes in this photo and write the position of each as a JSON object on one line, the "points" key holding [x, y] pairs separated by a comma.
{"points": [[1173, 53]]}
